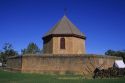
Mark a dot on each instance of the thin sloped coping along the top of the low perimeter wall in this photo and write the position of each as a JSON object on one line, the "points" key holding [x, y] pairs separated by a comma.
{"points": [[65, 56]]}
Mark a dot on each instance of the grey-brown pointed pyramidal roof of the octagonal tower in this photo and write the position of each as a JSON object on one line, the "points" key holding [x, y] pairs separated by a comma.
{"points": [[64, 27]]}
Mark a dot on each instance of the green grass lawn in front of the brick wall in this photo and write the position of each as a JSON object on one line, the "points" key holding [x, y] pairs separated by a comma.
{"points": [[11, 77]]}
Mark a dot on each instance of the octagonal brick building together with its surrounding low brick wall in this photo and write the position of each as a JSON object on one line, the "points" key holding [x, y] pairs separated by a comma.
{"points": [[63, 53]]}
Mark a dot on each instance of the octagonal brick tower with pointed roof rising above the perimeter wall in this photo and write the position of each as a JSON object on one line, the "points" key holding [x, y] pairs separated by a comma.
{"points": [[64, 38]]}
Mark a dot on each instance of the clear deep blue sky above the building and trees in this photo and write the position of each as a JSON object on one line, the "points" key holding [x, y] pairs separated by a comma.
{"points": [[102, 21]]}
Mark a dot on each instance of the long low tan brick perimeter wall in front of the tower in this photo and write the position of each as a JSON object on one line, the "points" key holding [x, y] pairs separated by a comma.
{"points": [[62, 64]]}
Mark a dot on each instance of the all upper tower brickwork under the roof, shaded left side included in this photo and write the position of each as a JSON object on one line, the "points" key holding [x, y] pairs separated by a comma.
{"points": [[73, 45]]}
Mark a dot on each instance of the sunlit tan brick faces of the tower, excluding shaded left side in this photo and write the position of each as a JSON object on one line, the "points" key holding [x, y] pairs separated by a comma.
{"points": [[73, 45]]}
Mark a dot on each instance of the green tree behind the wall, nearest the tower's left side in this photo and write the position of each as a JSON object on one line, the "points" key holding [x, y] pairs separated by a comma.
{"points": [[32, 48]]}
